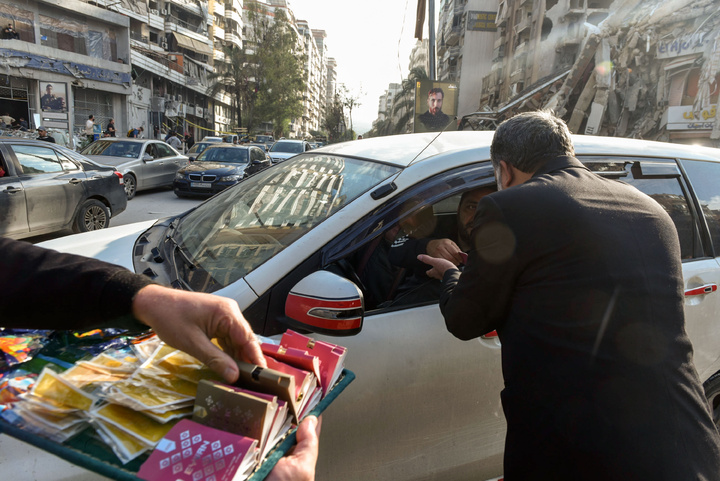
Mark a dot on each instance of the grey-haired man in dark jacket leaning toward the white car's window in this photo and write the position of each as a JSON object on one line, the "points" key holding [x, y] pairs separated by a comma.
{"points": [[581, 277]]}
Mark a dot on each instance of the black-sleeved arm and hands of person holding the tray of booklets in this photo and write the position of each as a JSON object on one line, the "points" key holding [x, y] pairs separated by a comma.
{"points": [[184, 320]]}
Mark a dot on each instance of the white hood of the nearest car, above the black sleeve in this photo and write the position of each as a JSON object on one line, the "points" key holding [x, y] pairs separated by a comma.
{"points": [[114, 245]]}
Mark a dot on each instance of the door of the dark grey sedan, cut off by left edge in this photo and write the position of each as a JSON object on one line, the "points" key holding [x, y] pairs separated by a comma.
{"points": [[13, 210]]}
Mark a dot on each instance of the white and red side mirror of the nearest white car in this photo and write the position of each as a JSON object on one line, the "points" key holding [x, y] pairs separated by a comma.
{"points": [[326, 303]]}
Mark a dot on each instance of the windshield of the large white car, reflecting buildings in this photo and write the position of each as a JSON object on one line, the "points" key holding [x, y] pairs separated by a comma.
{"points": [[242, 227]]}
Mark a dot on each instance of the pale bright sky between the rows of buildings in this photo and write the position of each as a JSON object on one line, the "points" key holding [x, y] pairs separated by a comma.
{"points": [[371, 42]]}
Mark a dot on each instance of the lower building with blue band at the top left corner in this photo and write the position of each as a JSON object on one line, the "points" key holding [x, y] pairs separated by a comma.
{"points": [[69, 60]]}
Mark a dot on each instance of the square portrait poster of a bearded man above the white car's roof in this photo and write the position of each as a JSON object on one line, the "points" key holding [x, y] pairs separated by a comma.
{"points": [[435, 106]]}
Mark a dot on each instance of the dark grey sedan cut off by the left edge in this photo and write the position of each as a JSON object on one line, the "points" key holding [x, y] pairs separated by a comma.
{"points": [[47, 188]]}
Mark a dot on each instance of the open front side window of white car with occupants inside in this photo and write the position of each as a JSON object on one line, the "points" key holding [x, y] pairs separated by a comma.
{"points": [[380, 253]]}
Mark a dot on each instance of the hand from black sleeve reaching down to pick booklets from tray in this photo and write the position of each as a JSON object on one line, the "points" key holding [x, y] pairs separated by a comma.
{"points": [[188, 320]]}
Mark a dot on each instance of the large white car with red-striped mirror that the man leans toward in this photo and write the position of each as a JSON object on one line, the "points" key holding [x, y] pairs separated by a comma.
{"points": [[424, 405]]}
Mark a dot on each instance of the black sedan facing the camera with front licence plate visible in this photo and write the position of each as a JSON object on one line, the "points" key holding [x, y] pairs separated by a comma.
{"points": [[217, 168]]}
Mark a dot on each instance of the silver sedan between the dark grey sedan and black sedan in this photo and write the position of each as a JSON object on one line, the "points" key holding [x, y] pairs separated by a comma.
{"points": [[144, 163]]}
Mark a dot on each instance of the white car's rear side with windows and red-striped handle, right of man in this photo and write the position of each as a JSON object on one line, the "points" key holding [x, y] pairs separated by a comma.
{"points": [[662, 180]]}
